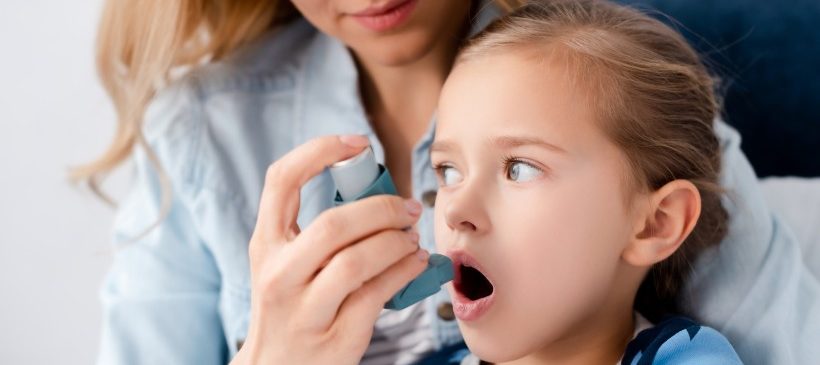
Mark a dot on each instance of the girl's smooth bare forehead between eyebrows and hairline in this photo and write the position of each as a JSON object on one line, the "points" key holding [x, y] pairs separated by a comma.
{"points": [[511, 95]]}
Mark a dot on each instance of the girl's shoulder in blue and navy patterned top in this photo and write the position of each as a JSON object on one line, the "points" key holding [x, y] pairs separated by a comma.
{"points": [[679, 340]]}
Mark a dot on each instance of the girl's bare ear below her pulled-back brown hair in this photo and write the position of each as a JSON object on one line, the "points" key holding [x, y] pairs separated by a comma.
{"points": [[669, 218]]}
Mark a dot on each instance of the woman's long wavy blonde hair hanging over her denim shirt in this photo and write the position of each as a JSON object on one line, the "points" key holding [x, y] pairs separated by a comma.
{"points": [[141, 43]]}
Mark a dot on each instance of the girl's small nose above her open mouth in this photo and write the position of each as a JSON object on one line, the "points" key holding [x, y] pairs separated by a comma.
{"points": [[465, 211]]}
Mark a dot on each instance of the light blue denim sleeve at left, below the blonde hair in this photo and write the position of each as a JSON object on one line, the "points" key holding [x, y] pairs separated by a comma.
{"points": [[161, 296]]}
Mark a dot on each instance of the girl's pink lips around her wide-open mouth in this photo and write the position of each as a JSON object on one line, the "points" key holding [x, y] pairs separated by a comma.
{"points": [[465, 308]]}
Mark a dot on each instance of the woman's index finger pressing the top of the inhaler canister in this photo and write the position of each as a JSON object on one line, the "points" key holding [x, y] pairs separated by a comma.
{"points": [[279, 203]]}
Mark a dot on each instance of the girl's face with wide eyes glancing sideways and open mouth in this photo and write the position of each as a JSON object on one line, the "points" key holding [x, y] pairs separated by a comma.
{"points": [[531, 195]]}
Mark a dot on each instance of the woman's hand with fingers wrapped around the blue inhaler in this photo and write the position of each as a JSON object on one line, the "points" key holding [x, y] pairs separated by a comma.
{"points": [[316, 294]]}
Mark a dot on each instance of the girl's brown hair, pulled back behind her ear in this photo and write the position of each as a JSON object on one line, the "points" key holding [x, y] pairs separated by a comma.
{"points": [[655, 100]]}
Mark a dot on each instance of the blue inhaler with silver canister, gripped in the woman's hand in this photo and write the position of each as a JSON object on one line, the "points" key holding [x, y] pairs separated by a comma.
{"points": [[360, 177]]}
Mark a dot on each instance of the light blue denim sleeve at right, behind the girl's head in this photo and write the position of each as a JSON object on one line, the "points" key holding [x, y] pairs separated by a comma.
{"points": [[754, 287]]}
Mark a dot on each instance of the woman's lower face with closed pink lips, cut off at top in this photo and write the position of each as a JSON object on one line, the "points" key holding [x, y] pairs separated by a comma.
{"points": [[388, 32]]}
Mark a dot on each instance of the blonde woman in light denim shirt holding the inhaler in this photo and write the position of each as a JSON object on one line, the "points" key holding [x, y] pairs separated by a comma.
{"points": [[208, 95]]}
